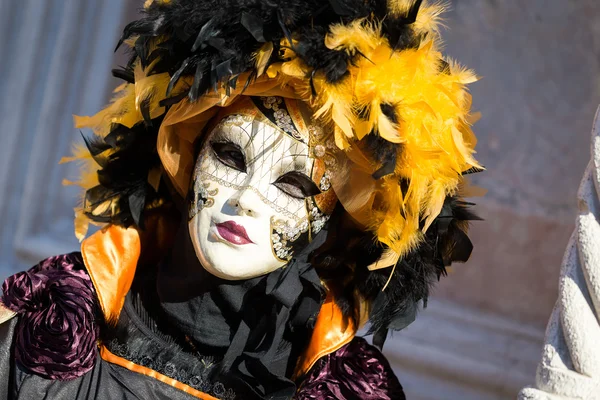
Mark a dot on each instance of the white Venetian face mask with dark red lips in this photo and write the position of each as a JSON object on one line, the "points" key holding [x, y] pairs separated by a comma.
{"points": [[252, 197]]}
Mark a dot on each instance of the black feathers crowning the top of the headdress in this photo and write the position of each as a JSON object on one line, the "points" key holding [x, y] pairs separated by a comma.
{"points": [[211, 41]]}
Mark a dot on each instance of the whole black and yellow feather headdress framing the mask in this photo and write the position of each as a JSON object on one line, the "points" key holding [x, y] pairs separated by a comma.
{"points": [[398, 136]]}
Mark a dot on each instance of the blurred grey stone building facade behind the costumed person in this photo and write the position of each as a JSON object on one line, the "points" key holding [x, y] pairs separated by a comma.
{"points": [[481, 336]]}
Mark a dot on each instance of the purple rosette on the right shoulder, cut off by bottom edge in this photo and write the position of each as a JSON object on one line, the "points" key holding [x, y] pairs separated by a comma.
{"points": [[355, 371]]}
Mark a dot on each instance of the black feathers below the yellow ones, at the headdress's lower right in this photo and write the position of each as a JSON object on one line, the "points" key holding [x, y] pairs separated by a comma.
{"points": [[349, 251]]}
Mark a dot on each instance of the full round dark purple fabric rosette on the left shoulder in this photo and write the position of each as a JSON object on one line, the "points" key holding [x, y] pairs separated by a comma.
{"points": [[57, 331]]}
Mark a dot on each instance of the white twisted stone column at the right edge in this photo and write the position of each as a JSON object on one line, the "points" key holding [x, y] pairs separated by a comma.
{"points": [[570, 364]]}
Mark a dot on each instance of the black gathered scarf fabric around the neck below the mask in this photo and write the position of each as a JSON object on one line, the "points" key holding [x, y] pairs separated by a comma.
{"points": [[255, 329]]}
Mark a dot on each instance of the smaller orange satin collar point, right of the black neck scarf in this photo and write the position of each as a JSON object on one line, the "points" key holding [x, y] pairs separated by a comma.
{"points": [[332, 331]]}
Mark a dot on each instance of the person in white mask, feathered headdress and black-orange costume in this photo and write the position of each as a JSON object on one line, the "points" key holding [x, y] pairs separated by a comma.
{"points": [[272, 176]]}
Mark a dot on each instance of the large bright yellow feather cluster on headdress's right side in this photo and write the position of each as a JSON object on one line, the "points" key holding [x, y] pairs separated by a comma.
{"points": [[430, 99]]}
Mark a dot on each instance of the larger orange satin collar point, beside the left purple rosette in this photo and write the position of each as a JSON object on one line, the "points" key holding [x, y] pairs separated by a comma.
{"points": [[111, 257]]}
